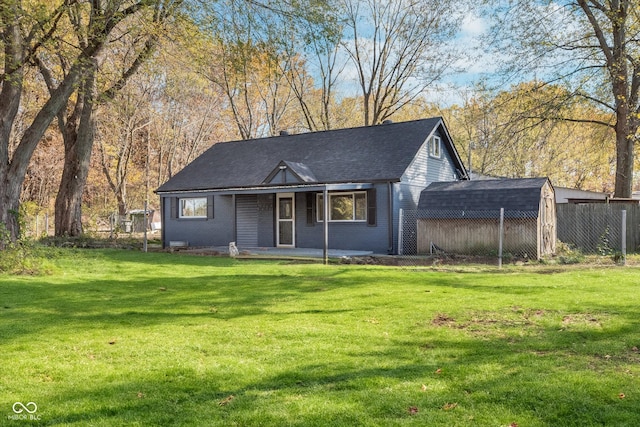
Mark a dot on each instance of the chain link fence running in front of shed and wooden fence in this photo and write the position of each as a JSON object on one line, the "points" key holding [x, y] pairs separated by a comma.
{"points": [[497, 235]]}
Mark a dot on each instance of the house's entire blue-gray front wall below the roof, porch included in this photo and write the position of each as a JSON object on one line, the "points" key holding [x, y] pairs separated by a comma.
{"points": [[283, 220]]}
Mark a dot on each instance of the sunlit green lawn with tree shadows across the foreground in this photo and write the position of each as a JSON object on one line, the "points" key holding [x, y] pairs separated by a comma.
{"points": [[122, 338]]}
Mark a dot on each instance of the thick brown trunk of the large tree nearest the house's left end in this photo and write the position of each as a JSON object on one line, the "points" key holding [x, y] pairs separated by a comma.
{"points": [[78, 145]]}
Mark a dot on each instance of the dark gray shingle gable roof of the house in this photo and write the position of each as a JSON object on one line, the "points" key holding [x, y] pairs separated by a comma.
{"points": [[364, 154]]}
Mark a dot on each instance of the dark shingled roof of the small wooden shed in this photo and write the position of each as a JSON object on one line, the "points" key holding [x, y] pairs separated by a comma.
{"points": [[522, 194]]}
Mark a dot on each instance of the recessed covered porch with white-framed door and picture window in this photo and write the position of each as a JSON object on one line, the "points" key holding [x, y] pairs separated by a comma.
{"points": [[289, 220]]}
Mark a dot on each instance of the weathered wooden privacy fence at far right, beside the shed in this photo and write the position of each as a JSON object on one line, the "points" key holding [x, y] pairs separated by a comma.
{"points": [[598, 228]]}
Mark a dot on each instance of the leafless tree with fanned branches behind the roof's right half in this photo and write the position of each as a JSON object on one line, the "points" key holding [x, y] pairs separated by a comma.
{"points": [[398, 49]]}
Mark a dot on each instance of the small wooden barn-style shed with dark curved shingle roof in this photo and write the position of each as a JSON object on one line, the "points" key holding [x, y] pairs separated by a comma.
{"points": [[464, 217]]}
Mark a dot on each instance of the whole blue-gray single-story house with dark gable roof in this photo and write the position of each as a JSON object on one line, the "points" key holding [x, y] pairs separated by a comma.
{"points": [[271, 192]]}
